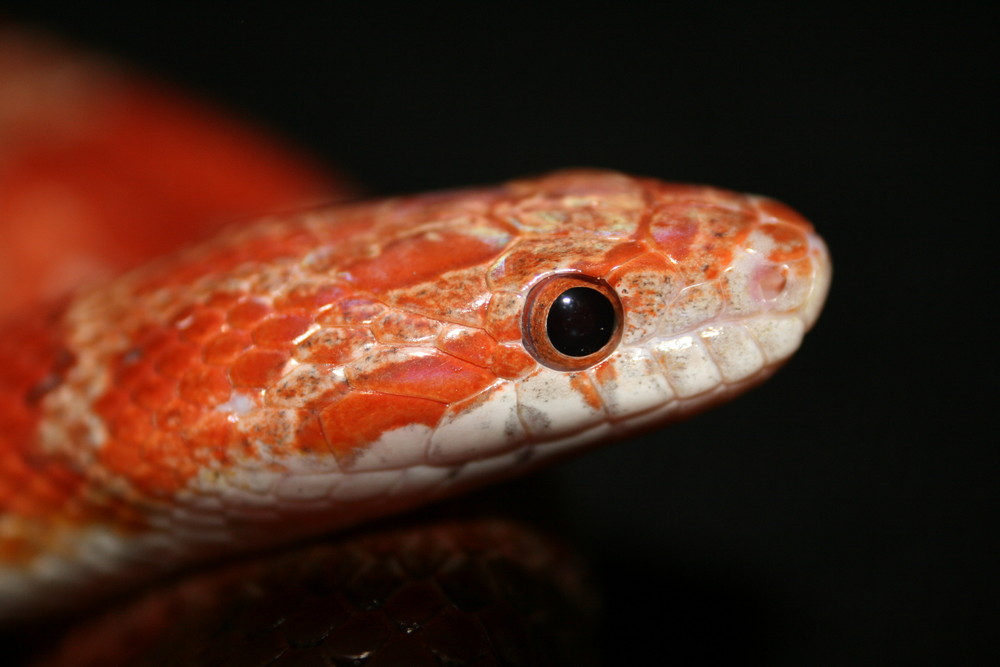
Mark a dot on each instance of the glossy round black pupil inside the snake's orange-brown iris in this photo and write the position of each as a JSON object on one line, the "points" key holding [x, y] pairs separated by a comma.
{"points": [[581, 322]]}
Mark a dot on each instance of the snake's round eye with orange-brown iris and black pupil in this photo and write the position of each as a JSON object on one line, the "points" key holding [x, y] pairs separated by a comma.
{"points": [[571, 321]]}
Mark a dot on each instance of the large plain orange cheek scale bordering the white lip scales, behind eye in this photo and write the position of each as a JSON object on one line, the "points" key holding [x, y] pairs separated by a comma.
{"points": [[361, 418]]}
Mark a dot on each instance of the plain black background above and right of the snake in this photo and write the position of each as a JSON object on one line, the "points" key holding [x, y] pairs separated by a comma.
{"points": [[844, 513]]}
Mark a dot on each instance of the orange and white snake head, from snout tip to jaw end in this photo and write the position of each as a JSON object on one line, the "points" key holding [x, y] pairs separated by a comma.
{"points": [[460, 337]]}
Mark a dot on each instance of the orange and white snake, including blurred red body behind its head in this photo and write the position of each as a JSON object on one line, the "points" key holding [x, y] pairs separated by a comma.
{"points": [[329, 365]]}
